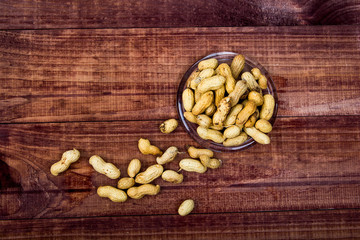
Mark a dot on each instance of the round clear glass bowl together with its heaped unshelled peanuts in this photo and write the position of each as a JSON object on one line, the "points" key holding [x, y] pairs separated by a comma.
{"points": [[227, 102]]}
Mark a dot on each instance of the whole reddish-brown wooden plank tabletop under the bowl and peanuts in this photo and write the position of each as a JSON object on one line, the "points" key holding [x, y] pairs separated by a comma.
{"points": [[98, 76]]}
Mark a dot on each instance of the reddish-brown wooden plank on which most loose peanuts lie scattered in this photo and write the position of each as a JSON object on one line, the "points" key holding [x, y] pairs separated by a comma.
{"points": [[310, 164]]}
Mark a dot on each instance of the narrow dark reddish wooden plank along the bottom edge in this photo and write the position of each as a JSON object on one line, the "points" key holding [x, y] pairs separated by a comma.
{"points": [[322, 224]]}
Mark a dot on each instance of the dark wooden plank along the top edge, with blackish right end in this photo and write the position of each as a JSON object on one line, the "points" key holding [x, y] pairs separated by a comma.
{"points": [[134, 14]]}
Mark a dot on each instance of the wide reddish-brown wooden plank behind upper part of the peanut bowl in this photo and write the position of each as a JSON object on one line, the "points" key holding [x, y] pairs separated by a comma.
{"points": [[125, 74]]}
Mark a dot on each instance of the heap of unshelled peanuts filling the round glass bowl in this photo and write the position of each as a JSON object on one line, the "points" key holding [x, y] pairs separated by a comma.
{"points": [[226, 110]]}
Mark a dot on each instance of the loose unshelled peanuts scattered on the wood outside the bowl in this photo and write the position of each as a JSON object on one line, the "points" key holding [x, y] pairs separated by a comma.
{"points": [[200, 161]]}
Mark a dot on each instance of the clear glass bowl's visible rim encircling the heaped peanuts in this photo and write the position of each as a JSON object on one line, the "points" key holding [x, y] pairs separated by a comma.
{"points": [[187, 125]]}
